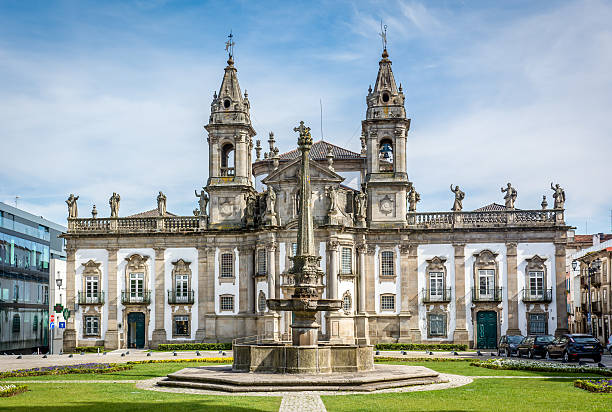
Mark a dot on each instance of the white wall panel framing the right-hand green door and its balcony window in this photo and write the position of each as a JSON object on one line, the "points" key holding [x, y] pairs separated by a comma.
{"points": [[470, 250]]}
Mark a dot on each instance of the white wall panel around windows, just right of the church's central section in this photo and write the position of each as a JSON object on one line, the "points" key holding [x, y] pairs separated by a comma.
{"points": [[427, 252]]}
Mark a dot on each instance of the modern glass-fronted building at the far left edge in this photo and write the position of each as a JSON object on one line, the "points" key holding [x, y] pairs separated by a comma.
{"points": [[27, 244]]}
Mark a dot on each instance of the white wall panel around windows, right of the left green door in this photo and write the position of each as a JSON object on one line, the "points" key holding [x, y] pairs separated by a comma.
{"points": [[170, 256]]}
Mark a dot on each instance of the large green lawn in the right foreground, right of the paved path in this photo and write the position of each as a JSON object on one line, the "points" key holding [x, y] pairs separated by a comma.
{"points": [[481, 395]]}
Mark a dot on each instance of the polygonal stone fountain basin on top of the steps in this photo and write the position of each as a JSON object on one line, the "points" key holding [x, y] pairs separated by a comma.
{"points": [[303, 359]]}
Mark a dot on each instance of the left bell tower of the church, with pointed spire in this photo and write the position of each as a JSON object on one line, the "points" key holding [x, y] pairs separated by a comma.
{"points": [[230, 143]]}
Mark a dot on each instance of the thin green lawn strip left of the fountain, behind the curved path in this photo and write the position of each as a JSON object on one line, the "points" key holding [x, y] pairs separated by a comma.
{"points": [[140, 371]]}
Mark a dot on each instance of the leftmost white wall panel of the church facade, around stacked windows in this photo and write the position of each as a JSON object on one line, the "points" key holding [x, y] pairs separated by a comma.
{"points": [[83, 256]]}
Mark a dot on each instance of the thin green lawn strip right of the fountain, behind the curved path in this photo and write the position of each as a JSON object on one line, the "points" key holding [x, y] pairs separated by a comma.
{"points": [[464, 368]]}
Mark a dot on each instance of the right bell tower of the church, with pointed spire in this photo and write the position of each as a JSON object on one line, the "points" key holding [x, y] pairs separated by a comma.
{"points": [[385, 129]]}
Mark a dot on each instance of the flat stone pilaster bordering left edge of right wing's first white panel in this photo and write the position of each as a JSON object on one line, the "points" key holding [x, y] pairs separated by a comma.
{"points": [[409, 296]]}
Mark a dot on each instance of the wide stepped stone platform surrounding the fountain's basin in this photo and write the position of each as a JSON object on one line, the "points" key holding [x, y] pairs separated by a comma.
{"points": [[224, 380]]}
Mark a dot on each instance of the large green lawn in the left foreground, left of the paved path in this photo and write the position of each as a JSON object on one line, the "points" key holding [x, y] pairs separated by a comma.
{"points": [[125, 397]]}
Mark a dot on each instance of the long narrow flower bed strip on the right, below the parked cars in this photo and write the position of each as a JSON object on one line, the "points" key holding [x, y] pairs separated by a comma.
{"points": [[539, 366]]}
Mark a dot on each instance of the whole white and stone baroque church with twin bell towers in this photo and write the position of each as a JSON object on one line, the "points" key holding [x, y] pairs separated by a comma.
{"points": [[403, 275]]}
